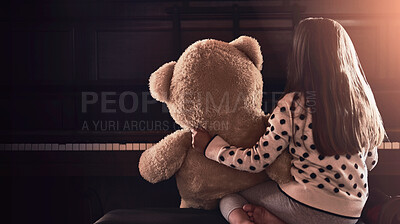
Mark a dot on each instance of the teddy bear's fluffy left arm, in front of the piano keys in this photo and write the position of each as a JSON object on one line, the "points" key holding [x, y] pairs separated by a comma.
{"points": [[164, 159]]}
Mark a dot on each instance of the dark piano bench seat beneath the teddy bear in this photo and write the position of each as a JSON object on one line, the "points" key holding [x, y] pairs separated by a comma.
{"points": [[162, 215]]}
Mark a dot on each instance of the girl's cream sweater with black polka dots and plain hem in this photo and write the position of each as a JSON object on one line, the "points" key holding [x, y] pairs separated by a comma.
{"points": [[335, 184]]}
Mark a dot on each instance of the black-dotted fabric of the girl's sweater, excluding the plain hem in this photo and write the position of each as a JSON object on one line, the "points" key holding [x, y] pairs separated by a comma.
{"points": [[343, 175]]}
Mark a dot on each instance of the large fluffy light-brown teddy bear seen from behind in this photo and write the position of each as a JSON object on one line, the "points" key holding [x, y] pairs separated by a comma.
{"points": [[218, 86]]}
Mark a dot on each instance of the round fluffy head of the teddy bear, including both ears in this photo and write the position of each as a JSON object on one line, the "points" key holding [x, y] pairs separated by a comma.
{"points": [[214, 84]]}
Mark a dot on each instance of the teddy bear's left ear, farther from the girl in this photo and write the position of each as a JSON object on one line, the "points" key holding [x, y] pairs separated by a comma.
{"points": [[160, 81]]}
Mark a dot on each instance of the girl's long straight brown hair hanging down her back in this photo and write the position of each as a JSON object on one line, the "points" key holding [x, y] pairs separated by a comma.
{"points": [[324, 64]]}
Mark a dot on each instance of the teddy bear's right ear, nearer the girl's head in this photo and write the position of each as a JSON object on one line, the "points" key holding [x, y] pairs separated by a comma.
{"points": [[251, 48]]}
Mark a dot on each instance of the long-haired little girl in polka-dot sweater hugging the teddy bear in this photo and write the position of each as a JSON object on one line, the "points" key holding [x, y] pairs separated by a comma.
{"points": [[328, 120]]}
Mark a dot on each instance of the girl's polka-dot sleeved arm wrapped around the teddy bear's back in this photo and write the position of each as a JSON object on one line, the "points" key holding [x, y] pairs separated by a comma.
{"points": [[263, 153]]}
